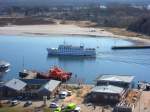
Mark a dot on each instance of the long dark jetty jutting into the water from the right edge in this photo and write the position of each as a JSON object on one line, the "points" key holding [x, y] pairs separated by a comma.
{"points": [[129, 47]]}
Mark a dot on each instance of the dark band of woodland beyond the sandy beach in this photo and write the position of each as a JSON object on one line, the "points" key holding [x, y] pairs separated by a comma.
{"points": [[114, 15]]}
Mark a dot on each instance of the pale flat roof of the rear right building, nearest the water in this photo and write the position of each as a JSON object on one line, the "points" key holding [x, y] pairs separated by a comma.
{"points": [[116, 78]]}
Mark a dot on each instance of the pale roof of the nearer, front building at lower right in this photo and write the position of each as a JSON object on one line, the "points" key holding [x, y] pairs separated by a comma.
{"points": [[108, 89]]}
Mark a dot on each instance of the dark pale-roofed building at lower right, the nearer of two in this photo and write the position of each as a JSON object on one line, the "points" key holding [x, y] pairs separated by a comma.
{"points": [[109, 94]]}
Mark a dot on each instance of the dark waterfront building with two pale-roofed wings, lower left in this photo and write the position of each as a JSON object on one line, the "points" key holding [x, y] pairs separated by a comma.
{"points": [[32, 88]]}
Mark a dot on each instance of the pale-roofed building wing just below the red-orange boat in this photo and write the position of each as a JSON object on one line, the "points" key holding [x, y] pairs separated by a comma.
{"points": [[49, 89]]}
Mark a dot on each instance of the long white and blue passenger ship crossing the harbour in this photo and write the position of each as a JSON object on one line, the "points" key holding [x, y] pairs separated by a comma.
{"points": [[69, 50]]}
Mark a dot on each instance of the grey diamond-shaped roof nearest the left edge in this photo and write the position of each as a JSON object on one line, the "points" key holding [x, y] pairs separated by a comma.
{"points": [[15, 84]]}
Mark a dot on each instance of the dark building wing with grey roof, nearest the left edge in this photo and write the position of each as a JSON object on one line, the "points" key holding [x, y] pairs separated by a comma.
{"points": [[14, 87]]}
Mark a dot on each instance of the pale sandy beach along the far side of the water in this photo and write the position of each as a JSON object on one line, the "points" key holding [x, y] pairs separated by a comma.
{"points": [[64, 29]]}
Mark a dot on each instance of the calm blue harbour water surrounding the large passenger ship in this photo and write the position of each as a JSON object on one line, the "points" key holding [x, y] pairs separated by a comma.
{"points": [[32, 49]]}
